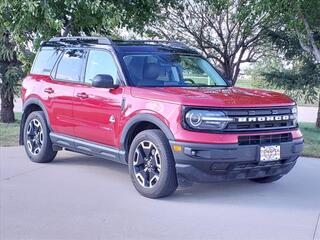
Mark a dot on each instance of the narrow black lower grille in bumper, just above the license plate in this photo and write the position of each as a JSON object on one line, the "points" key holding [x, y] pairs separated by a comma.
{"points": [[265, 139]]}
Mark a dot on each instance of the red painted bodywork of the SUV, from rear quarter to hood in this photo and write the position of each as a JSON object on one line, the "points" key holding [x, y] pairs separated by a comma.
{"points": [[84, 111]]}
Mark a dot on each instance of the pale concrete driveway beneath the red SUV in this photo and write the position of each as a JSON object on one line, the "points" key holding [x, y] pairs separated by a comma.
{"points": [[80, 197]]}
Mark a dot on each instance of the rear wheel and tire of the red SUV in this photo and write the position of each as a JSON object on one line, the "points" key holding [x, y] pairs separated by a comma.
{"points": [[37, 142]]}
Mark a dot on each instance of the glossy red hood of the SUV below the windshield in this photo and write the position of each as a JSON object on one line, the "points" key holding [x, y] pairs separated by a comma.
{"points": [[214, 97]]}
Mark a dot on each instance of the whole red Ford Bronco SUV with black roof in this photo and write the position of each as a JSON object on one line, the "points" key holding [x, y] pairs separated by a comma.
{"points": [[159, 107]]}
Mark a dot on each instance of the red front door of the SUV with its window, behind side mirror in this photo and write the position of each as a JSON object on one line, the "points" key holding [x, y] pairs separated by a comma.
{"points": [[97, 110]]}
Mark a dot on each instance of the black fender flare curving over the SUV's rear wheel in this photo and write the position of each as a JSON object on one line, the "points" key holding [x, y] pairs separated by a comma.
{"points": [[26, 105]]}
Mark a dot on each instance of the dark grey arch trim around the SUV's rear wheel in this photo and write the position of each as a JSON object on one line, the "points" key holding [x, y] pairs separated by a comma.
{"points": [[31, 105]]}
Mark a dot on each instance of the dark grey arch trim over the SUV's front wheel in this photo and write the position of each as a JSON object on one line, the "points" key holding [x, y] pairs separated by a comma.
{"points": [[138, 123]]}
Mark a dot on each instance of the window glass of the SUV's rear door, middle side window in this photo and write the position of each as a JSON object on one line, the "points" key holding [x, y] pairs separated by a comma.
{"points": [[70, 65]]}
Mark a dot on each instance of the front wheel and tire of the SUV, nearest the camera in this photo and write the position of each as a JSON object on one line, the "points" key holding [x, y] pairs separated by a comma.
{"points": [[155, 177]]}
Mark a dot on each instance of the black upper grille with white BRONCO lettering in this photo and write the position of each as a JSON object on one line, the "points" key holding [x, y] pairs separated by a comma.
{"points": [[260, 119]]}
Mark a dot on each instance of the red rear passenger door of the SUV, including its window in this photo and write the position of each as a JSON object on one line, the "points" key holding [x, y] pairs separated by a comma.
{"points": [[60, 91]]}
